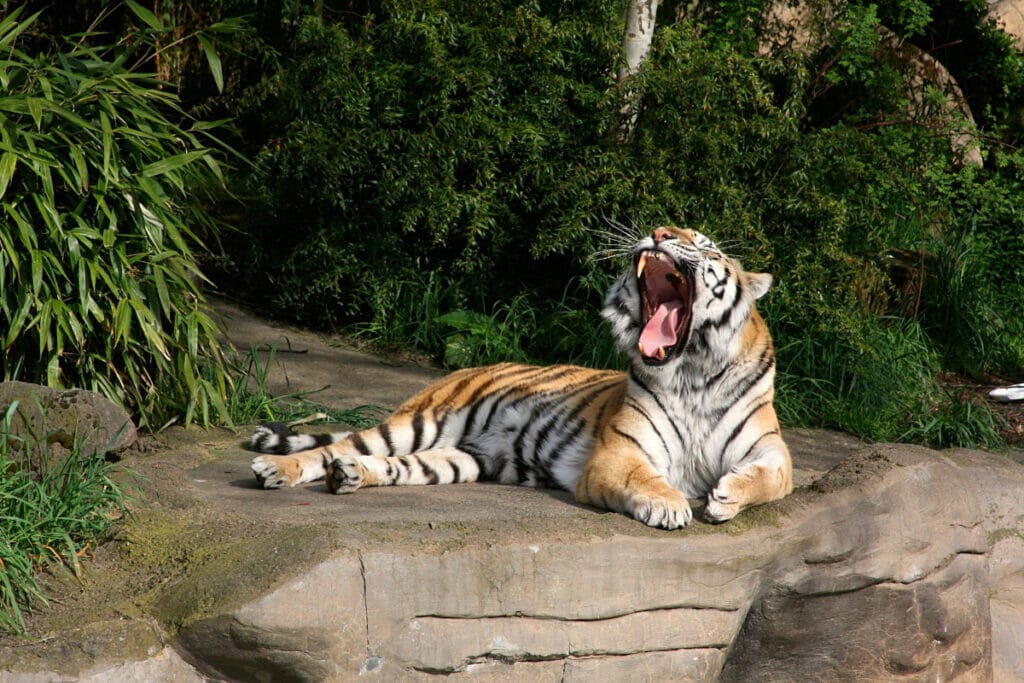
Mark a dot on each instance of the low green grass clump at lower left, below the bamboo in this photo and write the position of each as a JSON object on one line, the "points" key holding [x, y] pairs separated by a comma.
{"points": [[48, 519]]}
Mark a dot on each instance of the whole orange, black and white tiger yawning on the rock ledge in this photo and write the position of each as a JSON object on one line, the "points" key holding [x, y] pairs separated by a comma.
{"points": [[692, 418]]}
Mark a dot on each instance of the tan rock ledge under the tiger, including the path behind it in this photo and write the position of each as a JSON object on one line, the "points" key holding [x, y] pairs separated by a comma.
{"points": [[214, 577]]}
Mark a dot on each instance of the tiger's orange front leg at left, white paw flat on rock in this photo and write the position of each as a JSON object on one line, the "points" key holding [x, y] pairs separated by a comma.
{"points": [[619, 477]]}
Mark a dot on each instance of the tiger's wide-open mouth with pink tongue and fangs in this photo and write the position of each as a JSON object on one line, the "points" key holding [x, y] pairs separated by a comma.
{"points": [[666, 307]]}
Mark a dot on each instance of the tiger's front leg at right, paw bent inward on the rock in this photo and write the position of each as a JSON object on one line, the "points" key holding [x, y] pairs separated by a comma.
{"points": [[764, 477]]}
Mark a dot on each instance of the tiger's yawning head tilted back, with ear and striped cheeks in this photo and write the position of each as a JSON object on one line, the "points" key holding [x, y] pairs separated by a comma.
{"points": [[682, 297]]}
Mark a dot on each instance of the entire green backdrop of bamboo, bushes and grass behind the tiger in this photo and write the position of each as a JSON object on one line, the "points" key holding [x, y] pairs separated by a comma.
{"points": [[439, 176]]}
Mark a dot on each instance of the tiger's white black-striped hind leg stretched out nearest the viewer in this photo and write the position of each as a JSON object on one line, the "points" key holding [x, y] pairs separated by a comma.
{"points": [[447, 465]]}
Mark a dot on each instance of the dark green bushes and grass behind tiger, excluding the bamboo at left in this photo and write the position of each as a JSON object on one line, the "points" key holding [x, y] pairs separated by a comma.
{"points": [[439, 173]]}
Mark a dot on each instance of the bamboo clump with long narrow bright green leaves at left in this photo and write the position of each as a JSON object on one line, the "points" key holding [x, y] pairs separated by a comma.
{"points": [[102, 197]]}
